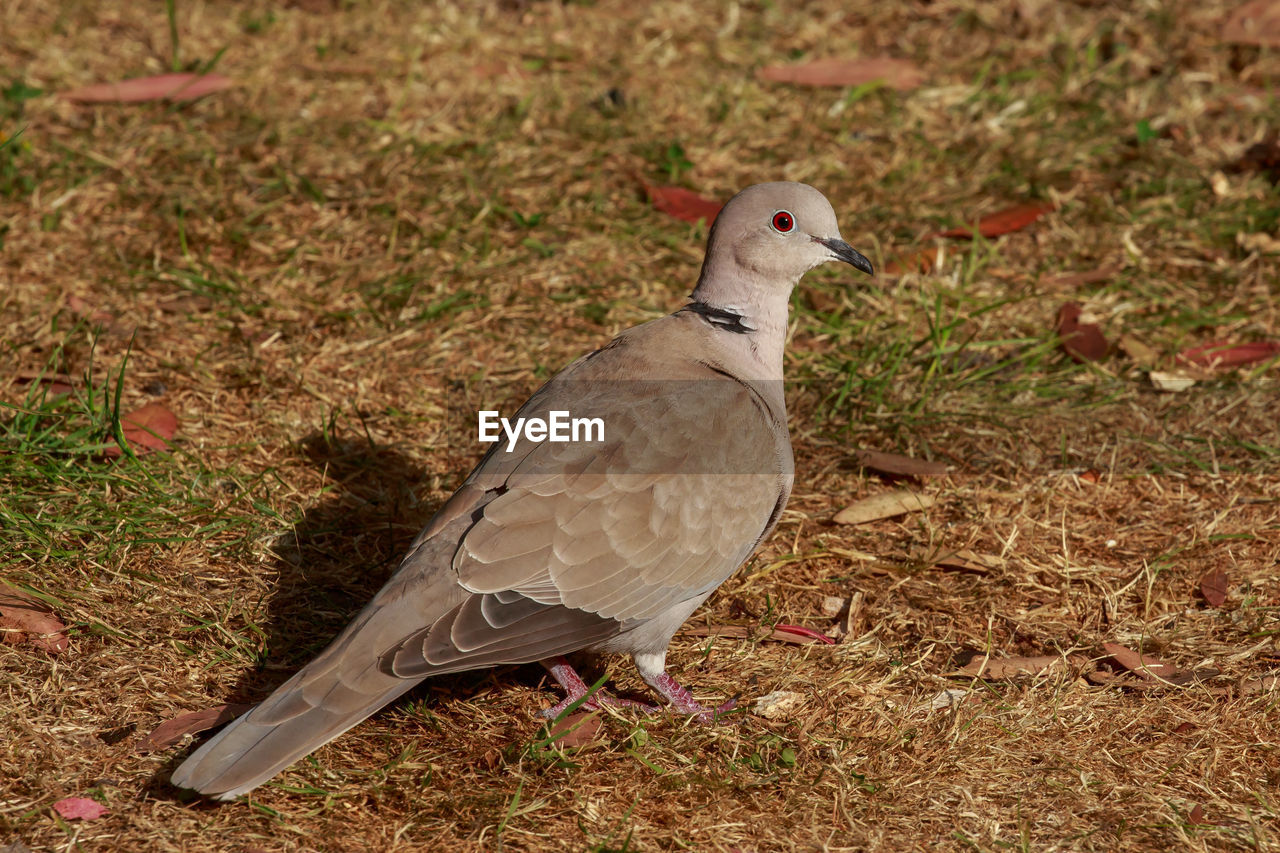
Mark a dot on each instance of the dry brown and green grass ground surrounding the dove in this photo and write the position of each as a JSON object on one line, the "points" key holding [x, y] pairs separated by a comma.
{"points": [[404, 209]]}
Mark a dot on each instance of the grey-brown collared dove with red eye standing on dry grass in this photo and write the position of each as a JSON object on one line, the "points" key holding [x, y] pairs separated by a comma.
{"points": [[606, 546]]}
